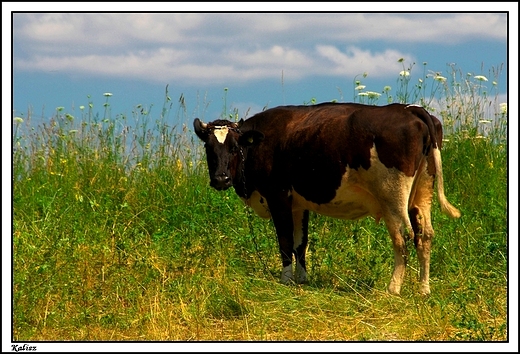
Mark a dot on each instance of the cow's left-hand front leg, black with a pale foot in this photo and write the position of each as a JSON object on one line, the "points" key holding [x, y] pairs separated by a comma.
{"points": [[281, 212]]}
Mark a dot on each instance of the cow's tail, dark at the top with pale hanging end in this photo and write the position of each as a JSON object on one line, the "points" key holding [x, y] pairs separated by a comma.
{"points": [[446, 206]]}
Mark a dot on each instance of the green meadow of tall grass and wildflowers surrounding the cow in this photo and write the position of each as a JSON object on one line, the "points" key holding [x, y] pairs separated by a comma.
{"points": [[118, 236]]}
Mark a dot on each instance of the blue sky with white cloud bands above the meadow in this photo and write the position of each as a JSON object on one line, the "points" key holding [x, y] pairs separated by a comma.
{"points": [[263, 59]]}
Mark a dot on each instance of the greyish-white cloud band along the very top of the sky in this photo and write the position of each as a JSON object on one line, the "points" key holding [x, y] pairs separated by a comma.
{"points": [[197, 27]]}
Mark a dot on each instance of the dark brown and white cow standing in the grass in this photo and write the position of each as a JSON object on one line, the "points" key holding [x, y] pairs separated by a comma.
{"points": [[343, 160]]}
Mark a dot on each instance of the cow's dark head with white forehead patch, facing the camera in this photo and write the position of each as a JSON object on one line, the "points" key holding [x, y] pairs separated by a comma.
{"points": [[225, 144]]}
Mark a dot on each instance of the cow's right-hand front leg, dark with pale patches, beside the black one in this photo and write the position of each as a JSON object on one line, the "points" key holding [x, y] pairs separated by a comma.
{"points": [[301, 238]]}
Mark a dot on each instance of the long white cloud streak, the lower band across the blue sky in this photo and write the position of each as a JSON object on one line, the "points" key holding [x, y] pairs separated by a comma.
{"points": [[165, 64]]}
